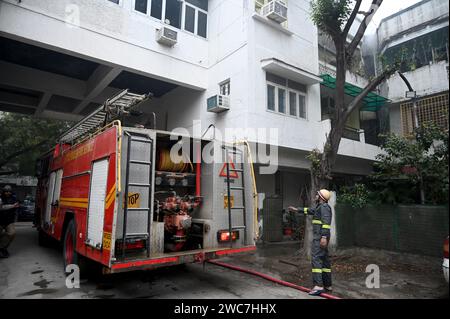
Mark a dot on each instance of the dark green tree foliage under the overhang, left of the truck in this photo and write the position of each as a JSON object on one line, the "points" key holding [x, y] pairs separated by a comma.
{"points": [[24, 138]]}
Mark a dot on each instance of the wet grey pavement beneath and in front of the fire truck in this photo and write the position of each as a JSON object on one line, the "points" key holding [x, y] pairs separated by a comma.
{"points": [[36, 272]]}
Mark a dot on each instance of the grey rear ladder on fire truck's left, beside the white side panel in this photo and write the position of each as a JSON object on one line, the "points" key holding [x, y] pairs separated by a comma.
{"points": [[147, 140]]}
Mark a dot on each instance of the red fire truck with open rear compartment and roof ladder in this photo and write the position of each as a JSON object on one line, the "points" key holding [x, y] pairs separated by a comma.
{"points": [[113, 195]]}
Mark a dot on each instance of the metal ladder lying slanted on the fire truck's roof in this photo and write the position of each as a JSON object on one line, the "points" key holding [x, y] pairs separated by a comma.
{"points": [[112, 109]]}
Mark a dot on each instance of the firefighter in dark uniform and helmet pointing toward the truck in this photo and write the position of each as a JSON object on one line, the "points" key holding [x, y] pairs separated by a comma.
{"points": [[321, 266]]}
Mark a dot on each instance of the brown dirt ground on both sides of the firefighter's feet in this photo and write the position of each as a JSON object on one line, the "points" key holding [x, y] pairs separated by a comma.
{"points": [[402, 276]]}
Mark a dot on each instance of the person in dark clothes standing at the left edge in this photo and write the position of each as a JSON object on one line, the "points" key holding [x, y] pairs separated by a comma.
{"points": [[8, 207]]}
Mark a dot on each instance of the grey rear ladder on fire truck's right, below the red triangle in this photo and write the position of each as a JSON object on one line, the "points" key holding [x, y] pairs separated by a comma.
{"points": [[230, 188]]}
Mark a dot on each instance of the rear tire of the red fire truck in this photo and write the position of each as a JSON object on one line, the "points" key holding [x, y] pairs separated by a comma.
{"points": [[70, 255]]}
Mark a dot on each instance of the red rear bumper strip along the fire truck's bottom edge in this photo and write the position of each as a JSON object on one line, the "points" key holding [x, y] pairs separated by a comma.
{"points": [[171, 260]]}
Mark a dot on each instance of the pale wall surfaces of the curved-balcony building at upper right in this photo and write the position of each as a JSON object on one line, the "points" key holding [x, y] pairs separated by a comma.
{"points": [[415, 27]]}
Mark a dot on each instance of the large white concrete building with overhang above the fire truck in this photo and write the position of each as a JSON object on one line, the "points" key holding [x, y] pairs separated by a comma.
{"points": [[62, 58]]}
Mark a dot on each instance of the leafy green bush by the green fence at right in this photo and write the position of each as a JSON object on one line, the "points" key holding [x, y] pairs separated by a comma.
{"points": [[405, 161]]}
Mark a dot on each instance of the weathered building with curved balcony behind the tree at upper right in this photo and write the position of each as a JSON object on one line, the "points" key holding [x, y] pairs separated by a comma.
{"points": [[420, 33]]}
